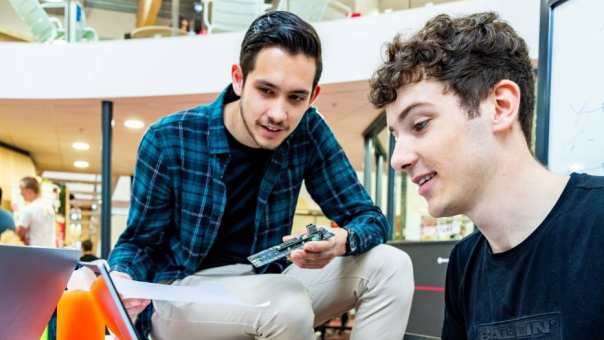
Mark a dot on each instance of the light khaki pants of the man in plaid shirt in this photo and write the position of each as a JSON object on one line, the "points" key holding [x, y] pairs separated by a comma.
{"points": [[378, 283]]}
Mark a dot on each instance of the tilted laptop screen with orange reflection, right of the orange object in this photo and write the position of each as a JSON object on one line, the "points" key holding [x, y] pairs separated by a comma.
{"points": [[104, 292]]}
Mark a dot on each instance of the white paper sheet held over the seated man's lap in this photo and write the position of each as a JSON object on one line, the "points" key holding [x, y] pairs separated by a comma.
{"points": [[206, 293]]}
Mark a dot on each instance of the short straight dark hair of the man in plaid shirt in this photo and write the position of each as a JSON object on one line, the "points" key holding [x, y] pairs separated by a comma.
{"points": [[280, 29]]}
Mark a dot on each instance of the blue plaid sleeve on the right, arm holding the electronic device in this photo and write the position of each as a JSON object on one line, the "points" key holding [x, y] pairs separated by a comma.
{"points": [[333, 184]]}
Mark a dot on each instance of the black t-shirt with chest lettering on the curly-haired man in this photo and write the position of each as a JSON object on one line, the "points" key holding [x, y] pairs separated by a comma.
{"points": [[550, 286]]}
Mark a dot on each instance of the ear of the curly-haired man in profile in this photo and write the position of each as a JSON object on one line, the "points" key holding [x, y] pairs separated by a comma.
{"points": [[506, 97]]}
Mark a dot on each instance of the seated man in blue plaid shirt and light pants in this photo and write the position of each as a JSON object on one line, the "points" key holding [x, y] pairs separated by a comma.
{"points": [[220, 182]]}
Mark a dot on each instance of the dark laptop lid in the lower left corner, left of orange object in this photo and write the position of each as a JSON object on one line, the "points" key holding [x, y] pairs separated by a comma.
{"points": [[32, 280]]}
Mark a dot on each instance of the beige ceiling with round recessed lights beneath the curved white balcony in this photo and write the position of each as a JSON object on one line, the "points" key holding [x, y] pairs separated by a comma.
{"points": [[48, 128]]}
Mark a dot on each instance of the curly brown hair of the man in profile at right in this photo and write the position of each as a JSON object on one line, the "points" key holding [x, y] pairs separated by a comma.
{"points": [[469, 55]]}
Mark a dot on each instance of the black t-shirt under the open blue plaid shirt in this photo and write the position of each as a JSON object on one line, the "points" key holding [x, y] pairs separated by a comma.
{"points": [[242, 178]]}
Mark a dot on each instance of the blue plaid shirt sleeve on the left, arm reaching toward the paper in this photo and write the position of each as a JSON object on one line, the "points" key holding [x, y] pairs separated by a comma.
{"points": [[150, 212]]}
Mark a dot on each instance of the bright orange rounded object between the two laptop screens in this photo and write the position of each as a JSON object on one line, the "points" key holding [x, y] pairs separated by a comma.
{"points": [[78, 317]]}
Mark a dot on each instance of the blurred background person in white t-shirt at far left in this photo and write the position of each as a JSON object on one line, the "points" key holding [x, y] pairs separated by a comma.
{"points": [[35, 223]]}
